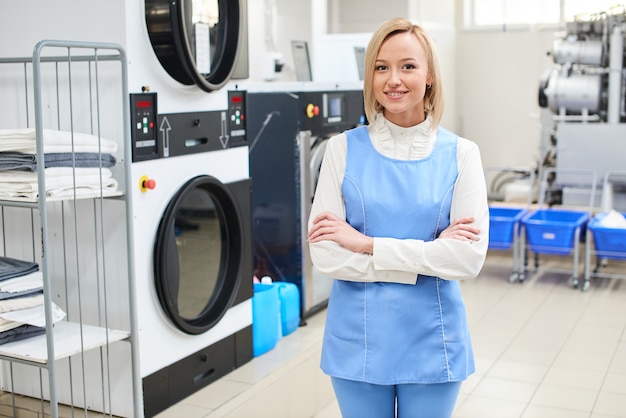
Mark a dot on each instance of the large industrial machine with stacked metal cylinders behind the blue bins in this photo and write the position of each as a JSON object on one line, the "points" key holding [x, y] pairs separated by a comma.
{"points": [[583, 119]]}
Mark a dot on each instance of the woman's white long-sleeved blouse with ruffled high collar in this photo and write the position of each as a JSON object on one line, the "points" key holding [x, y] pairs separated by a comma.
{"points": [[401, 260]]}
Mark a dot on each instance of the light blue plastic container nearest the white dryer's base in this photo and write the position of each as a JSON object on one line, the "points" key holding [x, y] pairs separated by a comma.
{"points": [[265, 318]]}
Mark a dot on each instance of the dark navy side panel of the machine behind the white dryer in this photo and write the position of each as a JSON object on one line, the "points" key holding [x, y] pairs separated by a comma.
{"points": [[275, 200]]}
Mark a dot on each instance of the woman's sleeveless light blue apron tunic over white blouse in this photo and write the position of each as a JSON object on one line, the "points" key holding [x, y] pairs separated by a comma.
{"points": [[391, 333]]}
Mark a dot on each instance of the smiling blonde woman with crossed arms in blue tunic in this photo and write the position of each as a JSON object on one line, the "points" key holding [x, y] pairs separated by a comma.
{"points": [[400, 215]]}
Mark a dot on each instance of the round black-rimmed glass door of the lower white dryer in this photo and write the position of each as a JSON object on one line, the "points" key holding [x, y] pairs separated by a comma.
{"points": [[198, 254]]}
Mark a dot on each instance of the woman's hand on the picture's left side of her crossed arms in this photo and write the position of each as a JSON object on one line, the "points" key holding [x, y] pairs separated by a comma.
{"points": [[329, 227]]}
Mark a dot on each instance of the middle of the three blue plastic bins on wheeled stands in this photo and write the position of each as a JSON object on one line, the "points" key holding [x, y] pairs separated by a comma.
{"points": [[552, 231]]}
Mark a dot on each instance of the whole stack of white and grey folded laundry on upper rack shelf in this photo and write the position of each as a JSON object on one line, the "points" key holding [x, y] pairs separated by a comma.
{"points": [[74, 163]]}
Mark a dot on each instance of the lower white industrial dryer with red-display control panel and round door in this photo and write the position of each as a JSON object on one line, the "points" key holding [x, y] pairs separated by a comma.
{"points": [[192, 252]]}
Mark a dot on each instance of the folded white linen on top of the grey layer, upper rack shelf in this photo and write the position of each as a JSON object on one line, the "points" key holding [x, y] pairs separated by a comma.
{"points": [[24, 140]]}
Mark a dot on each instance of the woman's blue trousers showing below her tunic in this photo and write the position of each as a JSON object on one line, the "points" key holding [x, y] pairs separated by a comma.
{"points": [[365, 400]]}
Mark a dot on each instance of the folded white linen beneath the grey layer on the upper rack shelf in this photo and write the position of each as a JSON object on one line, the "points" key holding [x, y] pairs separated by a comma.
{"points": [[60, 181]]}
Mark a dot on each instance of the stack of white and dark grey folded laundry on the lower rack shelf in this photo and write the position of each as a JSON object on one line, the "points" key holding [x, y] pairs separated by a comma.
{"points": [[22, 313]]}
